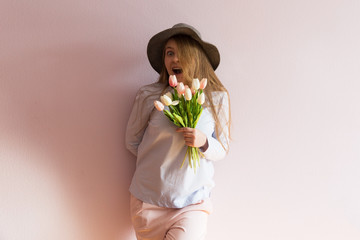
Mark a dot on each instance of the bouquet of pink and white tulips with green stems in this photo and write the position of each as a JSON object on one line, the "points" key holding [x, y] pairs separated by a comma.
{"points": [[184, 109]]}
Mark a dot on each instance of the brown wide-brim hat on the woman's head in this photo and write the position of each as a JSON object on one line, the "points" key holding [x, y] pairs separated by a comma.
{"points": [[157, 43]]}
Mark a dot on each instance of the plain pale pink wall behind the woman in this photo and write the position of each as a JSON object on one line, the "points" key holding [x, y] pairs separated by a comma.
{"points": [[69, 71]]}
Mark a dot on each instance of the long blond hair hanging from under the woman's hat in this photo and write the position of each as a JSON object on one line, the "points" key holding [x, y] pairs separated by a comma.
{"points": [[195, 64]]}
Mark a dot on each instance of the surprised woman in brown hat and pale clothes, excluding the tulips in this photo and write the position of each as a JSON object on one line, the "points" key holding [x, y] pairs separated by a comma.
{"points": [[169, 202]]}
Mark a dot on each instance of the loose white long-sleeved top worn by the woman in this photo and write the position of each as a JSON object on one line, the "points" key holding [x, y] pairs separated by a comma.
{"points": [[160, 151]]}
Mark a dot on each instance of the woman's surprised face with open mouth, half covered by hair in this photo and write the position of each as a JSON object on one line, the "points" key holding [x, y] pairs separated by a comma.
{"points": [[171, 60]]}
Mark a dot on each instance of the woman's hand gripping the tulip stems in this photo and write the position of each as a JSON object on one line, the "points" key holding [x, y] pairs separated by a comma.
{"points": [[194, 138]]}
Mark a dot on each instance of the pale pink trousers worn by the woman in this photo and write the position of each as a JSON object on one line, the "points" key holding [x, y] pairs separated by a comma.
{"points": [[158, 223]]}
